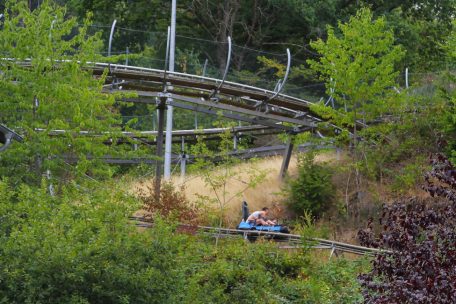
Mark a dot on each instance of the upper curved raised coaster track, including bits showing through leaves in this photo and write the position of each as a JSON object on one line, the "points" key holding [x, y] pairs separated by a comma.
{"points": [[232, 96]]}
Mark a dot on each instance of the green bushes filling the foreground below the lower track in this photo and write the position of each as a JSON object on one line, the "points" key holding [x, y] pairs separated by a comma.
{"points": [[80, 248]]}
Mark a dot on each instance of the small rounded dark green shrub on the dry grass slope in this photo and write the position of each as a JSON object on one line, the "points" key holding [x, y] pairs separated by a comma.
{"points": [[312, 190]]}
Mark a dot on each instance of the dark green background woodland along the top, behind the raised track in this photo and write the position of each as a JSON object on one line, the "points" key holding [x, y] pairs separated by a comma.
{"points": [[420, 27]]}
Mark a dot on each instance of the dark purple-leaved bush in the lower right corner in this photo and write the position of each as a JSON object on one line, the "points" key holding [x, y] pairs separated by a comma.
{"points": [[421, 237]]}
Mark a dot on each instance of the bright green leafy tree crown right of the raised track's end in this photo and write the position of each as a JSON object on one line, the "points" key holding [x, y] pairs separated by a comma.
{"points": [[358, 65]]}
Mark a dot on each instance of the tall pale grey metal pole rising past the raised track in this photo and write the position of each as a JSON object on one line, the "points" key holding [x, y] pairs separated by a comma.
{"points": [[169, 114]]}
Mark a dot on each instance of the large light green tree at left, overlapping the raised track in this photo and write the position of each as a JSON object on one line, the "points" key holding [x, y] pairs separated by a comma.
{"points": [[44, 85]]}
